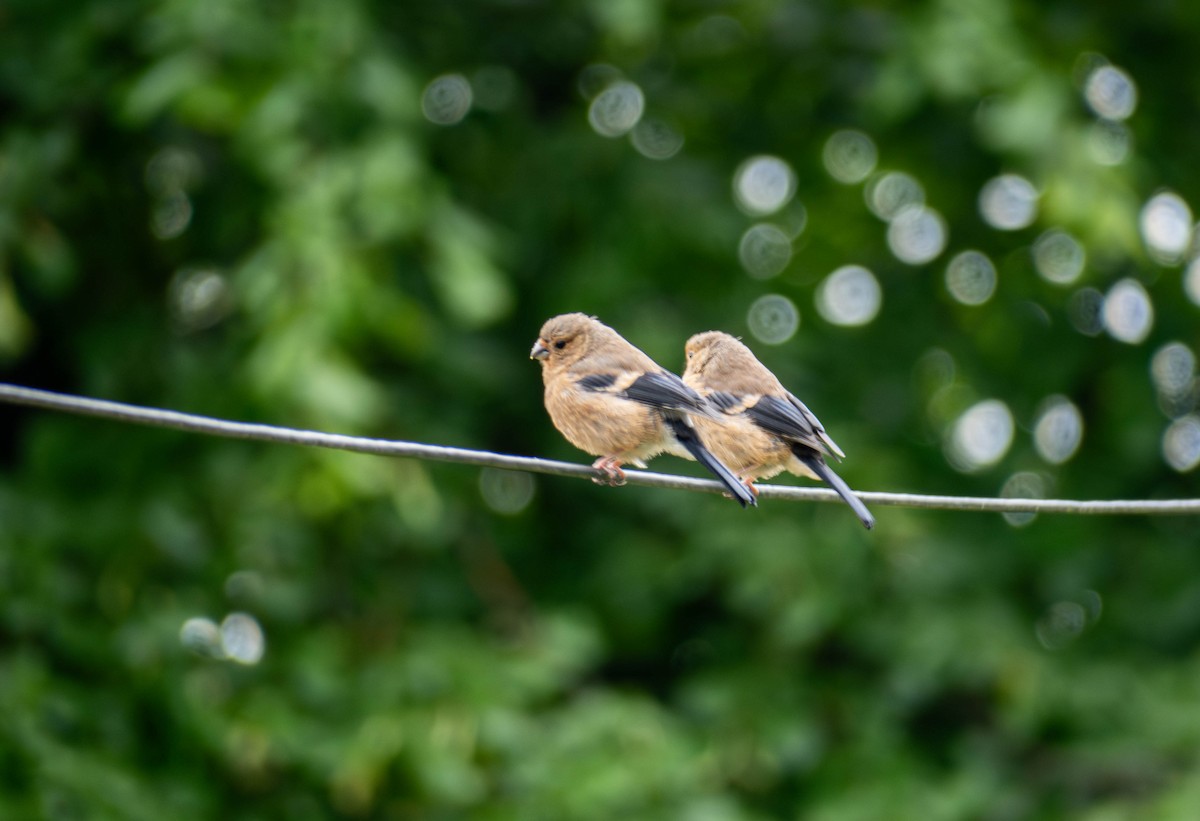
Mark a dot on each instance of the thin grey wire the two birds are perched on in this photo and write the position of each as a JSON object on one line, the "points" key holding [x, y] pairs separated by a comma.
{"points": [[233, 430]]}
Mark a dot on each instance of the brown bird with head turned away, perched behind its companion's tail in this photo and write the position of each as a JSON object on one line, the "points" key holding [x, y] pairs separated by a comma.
{"points": [[766, 429]]}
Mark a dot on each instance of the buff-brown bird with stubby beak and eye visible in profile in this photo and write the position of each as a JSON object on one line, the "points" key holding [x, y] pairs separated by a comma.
{"points": [[613, 401]]}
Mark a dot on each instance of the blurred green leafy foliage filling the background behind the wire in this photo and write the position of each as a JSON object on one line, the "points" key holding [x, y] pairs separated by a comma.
{"points": [[242, 209]]}
